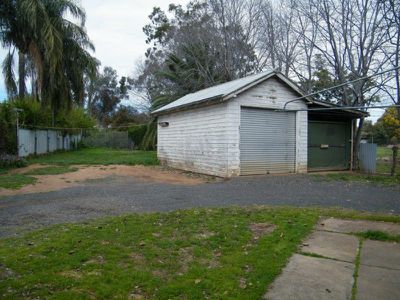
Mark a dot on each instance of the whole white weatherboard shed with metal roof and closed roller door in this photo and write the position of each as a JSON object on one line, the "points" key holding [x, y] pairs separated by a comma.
{"points": [[235, 128]]}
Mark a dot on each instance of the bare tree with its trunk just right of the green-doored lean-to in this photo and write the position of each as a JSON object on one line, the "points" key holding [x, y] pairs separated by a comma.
{"points": [[350, 36]]}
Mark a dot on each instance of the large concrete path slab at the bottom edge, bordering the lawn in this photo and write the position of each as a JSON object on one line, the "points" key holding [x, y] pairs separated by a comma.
{"points": [[309, 278]]}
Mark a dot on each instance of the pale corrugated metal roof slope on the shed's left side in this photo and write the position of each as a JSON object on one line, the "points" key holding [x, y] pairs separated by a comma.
{"points": [[215, 92]]}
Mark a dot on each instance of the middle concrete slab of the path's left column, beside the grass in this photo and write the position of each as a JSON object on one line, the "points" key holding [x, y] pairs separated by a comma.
{"points": [[333, 245]]}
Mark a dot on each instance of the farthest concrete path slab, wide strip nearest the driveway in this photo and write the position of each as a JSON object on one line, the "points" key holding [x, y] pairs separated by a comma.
{"points": [[349, 226]]}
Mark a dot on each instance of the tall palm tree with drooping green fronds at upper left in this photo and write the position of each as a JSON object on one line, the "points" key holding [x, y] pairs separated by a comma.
{"points": [[57, 48]]}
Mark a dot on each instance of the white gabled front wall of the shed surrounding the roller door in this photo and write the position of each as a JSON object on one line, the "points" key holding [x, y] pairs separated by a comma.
{"points": [[270, 94]]}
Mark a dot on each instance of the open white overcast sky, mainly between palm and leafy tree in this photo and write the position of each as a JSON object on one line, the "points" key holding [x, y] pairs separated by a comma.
{"points": [[115, 27]]}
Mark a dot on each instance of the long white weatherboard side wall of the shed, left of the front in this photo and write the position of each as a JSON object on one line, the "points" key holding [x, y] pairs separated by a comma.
{"points": [[196, 140]]}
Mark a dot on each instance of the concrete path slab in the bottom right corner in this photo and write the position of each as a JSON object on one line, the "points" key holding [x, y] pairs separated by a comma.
{"points": [[378, 283]]}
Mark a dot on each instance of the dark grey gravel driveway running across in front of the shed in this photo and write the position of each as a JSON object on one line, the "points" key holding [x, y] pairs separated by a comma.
{"points": [[118, 195]]}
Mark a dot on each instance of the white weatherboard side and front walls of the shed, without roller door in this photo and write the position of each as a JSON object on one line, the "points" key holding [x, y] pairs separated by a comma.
{"points": [[206, 139]]}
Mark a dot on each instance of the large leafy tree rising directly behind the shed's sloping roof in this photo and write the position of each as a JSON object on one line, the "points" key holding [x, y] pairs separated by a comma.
{"points": [[192, 50]]}
